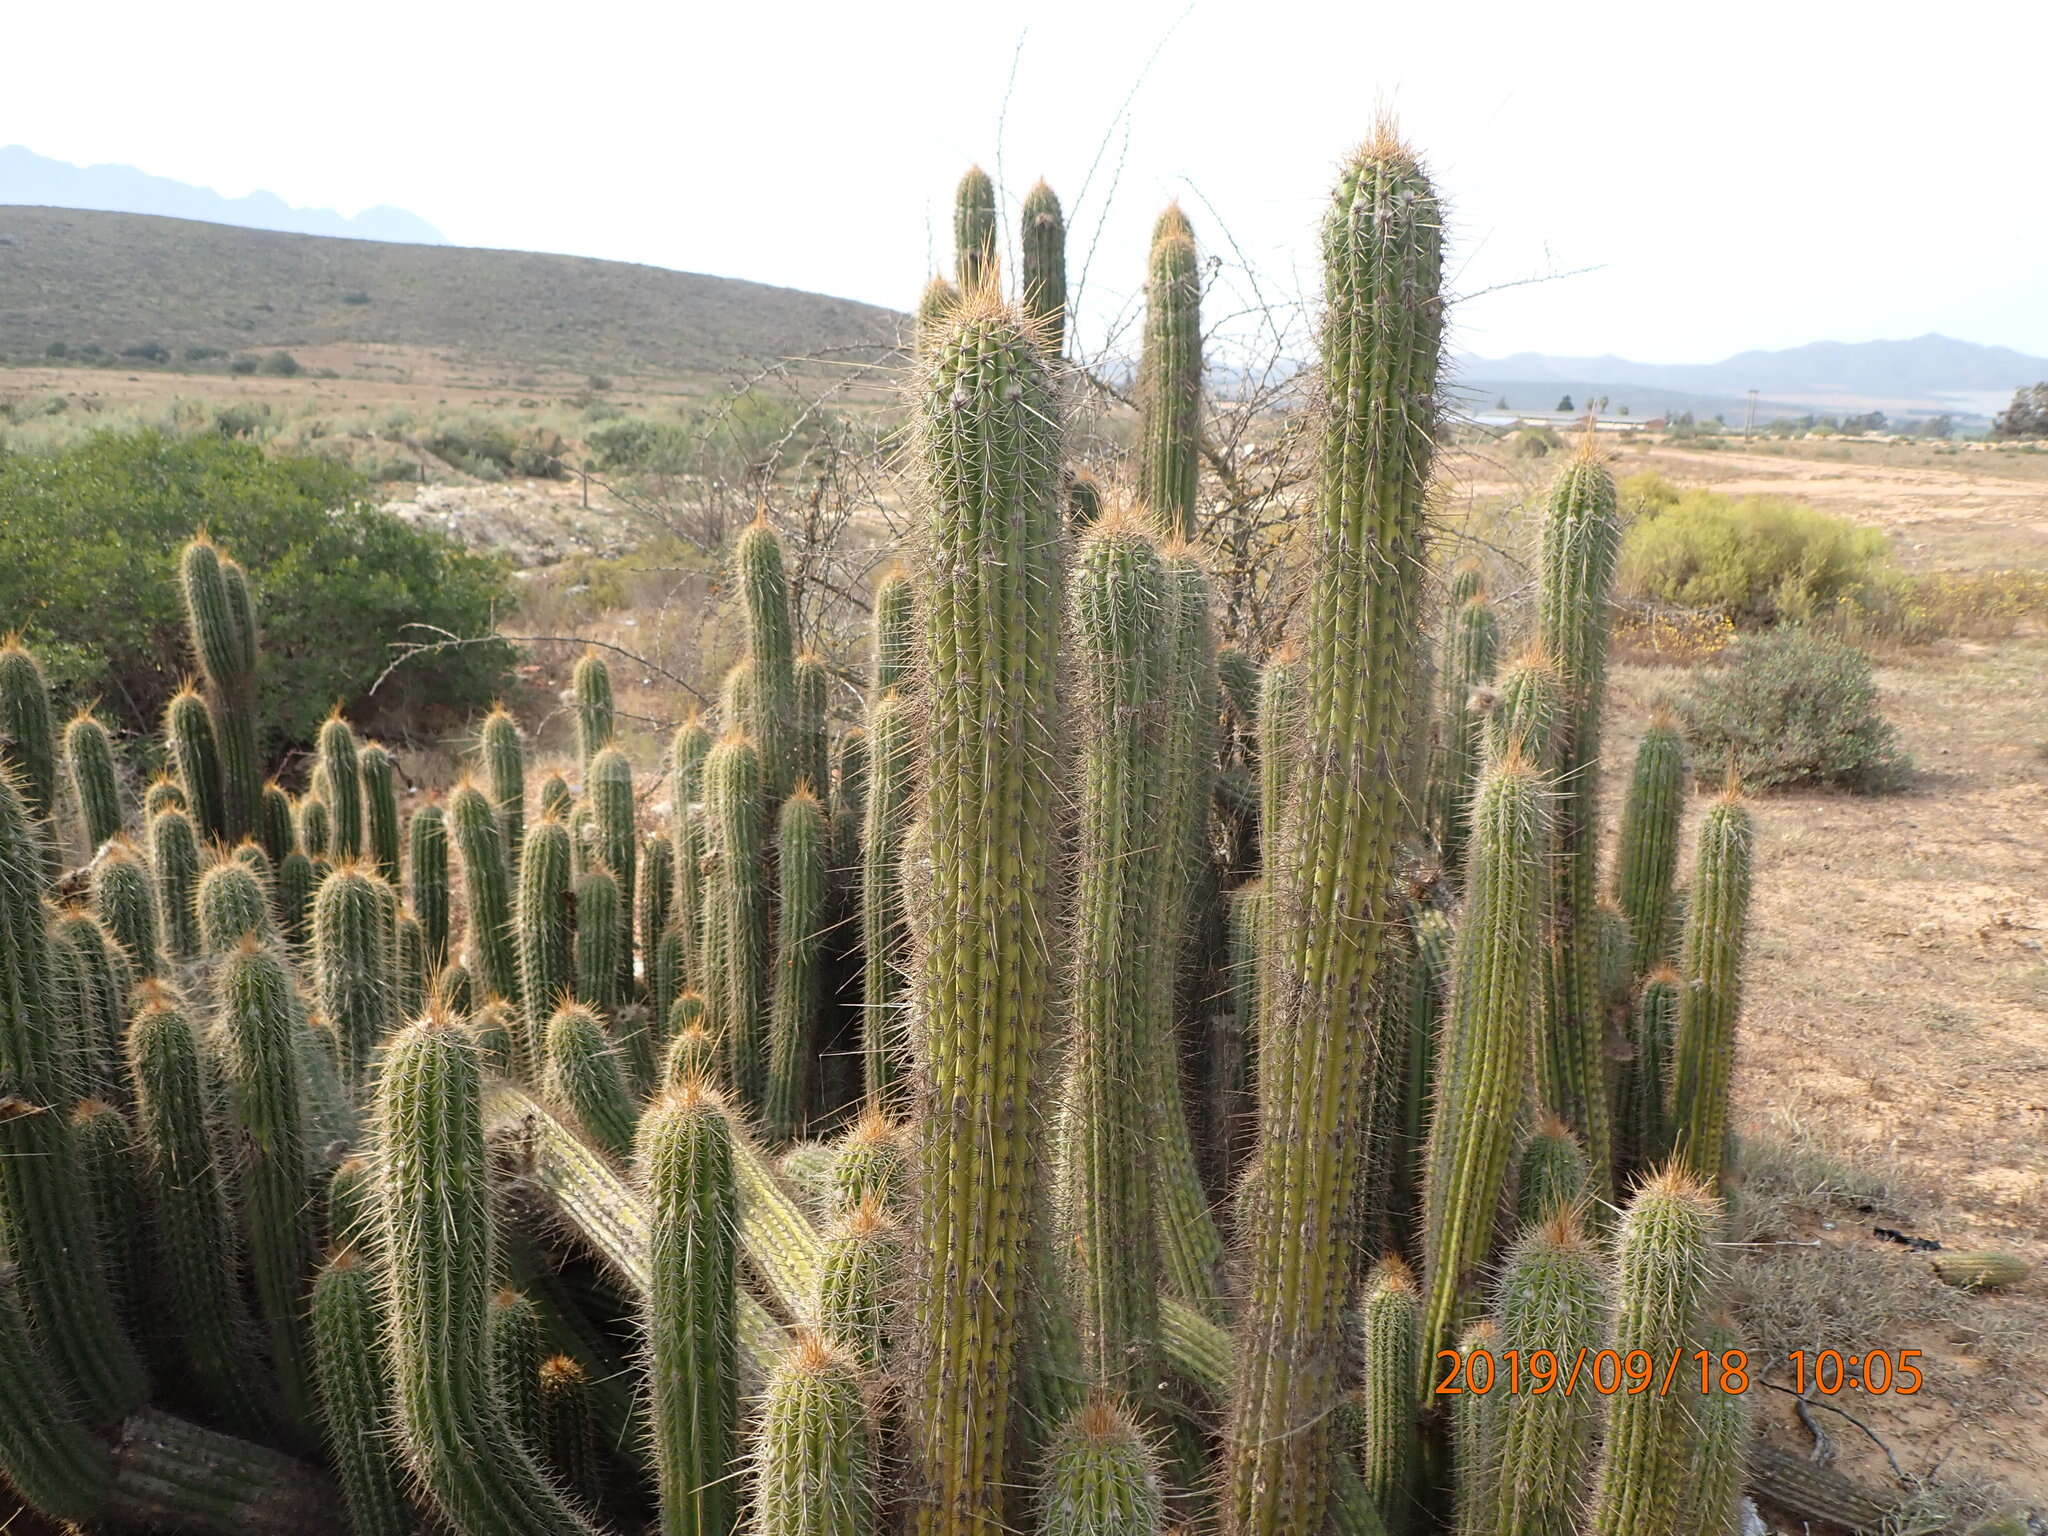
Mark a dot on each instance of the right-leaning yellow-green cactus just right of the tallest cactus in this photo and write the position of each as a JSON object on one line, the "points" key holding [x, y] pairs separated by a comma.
{"points": [[1486, 1048]]}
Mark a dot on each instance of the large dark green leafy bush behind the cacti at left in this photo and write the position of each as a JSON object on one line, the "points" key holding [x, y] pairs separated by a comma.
{"points": [[89, 548]]}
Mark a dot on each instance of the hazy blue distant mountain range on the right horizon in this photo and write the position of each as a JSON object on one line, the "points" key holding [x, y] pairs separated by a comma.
{"points": [[1922, 376]]}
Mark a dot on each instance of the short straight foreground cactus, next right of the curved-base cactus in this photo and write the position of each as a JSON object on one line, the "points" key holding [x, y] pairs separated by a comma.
{"points": [[687, 1166]]}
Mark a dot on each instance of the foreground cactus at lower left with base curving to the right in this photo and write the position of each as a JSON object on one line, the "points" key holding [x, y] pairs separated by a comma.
{"points": [[439, 1254]]}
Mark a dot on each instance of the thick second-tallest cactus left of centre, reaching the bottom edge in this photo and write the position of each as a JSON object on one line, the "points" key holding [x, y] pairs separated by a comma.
{"points": [[990, 462]]}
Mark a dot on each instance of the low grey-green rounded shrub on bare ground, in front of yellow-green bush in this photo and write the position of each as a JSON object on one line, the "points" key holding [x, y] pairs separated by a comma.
{"points": [[1793, 710]]}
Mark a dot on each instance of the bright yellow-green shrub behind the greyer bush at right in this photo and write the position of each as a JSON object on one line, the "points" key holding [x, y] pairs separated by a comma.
{"points": [[1760, 560]]}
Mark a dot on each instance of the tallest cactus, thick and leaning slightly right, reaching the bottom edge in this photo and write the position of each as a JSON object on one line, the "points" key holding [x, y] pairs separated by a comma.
{"points": [[1381, 347]]}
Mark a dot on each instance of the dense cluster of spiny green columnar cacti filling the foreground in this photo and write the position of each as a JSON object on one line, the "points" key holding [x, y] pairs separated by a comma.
{"points": [[1103, 1089]]}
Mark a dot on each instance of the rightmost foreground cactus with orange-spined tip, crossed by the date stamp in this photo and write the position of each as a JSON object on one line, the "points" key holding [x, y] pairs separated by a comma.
{"points": [[1664, 1269]]}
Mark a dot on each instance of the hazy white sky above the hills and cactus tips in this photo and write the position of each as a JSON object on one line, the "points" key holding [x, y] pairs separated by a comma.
{"points": [[1738, 175]]}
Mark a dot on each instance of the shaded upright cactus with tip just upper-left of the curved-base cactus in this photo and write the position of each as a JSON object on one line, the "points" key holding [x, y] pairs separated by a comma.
{"points": [[267, 1121]]}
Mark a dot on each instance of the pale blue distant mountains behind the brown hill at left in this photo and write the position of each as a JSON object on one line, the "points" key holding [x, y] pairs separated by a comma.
{"points": [[32, 179]]}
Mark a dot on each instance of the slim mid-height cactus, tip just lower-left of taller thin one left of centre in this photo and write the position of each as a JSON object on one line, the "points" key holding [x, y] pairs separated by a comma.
{"points": [[738, 902]]}
